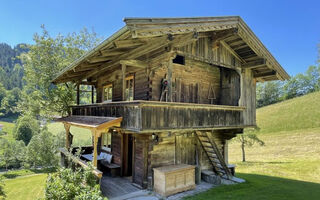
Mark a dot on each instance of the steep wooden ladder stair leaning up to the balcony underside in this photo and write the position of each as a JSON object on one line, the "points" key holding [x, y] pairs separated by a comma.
{"points": [[214, 155]]}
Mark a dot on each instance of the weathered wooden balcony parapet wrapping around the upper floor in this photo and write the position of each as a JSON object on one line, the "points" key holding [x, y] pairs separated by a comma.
{"points": [[154, 116]]}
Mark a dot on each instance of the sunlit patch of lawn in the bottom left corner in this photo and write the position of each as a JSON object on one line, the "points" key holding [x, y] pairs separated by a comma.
{"points": [[26, 187]]}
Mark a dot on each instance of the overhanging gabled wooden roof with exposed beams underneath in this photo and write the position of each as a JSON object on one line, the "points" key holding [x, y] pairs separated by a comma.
{"points": [[138, 36]]}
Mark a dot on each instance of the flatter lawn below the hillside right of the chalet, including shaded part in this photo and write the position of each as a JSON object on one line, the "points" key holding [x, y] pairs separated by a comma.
{"points": [[287, 167]]}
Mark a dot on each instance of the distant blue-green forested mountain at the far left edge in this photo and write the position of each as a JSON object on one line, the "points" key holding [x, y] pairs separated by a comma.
{"points": [[11, 70]]}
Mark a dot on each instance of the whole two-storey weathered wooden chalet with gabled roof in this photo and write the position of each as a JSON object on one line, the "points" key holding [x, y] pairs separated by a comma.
{"points": [[169, 91]]}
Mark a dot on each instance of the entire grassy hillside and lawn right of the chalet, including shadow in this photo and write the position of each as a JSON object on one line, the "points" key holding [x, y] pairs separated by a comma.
{"points": [[288, 166]]}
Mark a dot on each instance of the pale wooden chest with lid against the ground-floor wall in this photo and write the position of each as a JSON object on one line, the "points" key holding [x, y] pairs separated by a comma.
{"points": [[173, 179]]}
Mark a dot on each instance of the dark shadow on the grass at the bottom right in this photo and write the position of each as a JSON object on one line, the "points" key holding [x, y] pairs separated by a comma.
{"points": [[263, 187]]}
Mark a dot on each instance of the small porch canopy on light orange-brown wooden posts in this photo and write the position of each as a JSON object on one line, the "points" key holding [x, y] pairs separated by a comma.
{"points": [[97, 125]]}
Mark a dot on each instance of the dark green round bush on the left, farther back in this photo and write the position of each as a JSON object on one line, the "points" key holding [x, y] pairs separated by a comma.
{"points": [[26, 126]]}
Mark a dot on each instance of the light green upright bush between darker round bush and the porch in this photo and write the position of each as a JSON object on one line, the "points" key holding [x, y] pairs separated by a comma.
{"points": [[41, 150]]}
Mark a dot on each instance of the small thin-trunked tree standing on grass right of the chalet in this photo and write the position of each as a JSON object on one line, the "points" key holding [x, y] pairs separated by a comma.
{"points": [[248, 139]]}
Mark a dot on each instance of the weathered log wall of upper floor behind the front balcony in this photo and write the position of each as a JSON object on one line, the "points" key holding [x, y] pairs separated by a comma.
{"points": [[193, 82]]}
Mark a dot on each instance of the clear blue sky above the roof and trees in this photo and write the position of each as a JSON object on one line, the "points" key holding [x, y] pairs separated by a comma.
{"points": [[289, 29]]}
